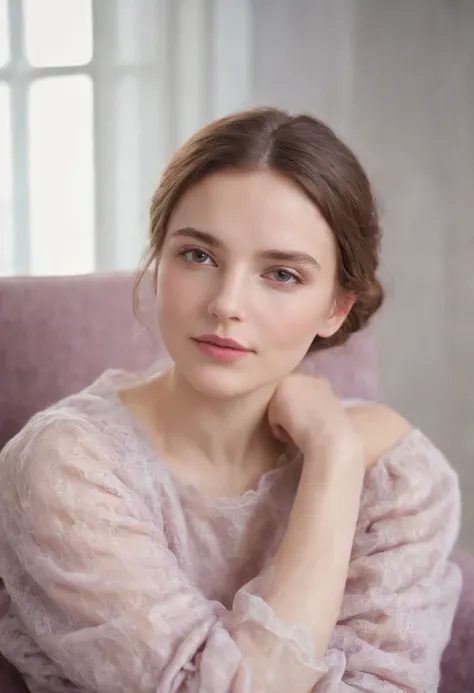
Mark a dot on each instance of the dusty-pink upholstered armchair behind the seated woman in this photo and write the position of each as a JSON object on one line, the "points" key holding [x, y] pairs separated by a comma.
{"points": [[58, 334]]}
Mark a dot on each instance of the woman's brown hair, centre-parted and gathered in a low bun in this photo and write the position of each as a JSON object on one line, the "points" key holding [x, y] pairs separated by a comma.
{"points": [[308, 152]]}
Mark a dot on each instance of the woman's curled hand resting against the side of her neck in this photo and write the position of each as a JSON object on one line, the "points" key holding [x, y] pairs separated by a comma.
{"points": [[305, 410]]}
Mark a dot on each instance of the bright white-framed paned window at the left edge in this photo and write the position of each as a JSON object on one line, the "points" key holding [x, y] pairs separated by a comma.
{"points": [[46, 137]]}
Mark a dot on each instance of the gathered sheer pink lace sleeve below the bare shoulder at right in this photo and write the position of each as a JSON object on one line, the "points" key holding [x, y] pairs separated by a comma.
{"points": [[402, 590]]}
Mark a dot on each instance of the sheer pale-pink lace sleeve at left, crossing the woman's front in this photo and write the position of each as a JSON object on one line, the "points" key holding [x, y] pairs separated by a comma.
{"points": [[91, 577]]}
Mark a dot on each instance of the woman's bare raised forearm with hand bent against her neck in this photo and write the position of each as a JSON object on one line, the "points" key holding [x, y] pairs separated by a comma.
{"points": [[311, 564]]}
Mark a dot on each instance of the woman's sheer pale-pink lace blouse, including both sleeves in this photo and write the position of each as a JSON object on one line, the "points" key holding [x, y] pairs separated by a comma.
{"points": [[117, 577]]}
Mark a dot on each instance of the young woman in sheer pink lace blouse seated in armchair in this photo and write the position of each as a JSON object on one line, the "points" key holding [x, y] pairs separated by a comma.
{"points": [[225, 524]]}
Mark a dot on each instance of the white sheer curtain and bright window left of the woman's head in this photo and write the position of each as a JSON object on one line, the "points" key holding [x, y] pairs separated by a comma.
{"points": [[94, 97]]}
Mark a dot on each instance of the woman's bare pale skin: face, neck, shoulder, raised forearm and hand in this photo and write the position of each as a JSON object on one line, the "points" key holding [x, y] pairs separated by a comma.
{"points": [[247, 256]]}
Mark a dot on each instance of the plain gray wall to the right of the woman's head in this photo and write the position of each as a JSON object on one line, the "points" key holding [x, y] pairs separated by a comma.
{"points": [[396, 80]]}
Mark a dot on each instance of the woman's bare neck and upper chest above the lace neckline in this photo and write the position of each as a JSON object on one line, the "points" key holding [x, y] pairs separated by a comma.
{"points": [[216, 434]]}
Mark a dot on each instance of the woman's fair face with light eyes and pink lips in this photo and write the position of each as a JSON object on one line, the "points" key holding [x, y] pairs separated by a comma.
{"points": [[247, 257]]}
